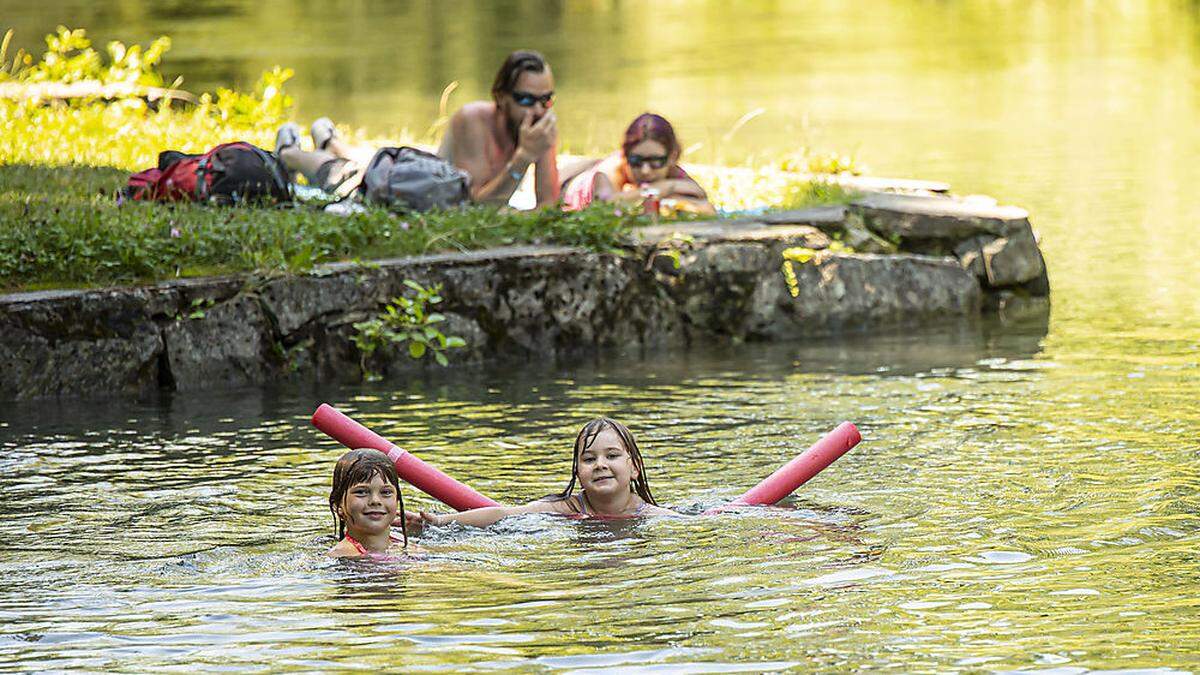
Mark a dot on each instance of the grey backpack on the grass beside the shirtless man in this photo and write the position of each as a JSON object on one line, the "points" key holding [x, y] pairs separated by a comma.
{"points": [[413, 180]]}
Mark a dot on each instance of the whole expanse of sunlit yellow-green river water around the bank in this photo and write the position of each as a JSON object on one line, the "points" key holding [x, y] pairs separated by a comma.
{"points": [[1027, 495]]}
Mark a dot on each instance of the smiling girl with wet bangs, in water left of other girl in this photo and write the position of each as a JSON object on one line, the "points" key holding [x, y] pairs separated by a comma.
{"points": [[365, 500]]}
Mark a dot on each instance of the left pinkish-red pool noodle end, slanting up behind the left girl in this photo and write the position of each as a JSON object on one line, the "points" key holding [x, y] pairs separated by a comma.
{"points": [[421, 475]]}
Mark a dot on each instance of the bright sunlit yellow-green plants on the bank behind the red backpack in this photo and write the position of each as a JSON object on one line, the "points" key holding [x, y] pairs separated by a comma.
{"points": [[127, 133]]}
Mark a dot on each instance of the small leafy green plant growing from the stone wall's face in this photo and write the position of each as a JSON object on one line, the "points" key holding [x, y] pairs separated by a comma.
{"points": [[407, 320]]}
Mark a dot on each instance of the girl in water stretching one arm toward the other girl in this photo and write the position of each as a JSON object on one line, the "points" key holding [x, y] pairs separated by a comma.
{"points": [[607, 465]]}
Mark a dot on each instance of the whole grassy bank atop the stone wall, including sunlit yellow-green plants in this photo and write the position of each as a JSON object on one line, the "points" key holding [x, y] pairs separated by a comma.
{"points": [[63, 162]]}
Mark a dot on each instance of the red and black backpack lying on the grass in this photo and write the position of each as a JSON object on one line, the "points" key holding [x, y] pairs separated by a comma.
{"points": [[232, 174]]}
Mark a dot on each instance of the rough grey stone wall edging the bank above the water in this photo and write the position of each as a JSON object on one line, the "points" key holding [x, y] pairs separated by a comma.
{"points": [[917, 260]]}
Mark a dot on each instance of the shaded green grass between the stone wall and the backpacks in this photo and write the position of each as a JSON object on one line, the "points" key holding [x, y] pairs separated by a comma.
{"points": [[63, 229]]}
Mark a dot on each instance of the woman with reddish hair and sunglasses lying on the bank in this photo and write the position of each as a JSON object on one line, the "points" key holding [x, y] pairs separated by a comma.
{"points": [[646, 166]]}
